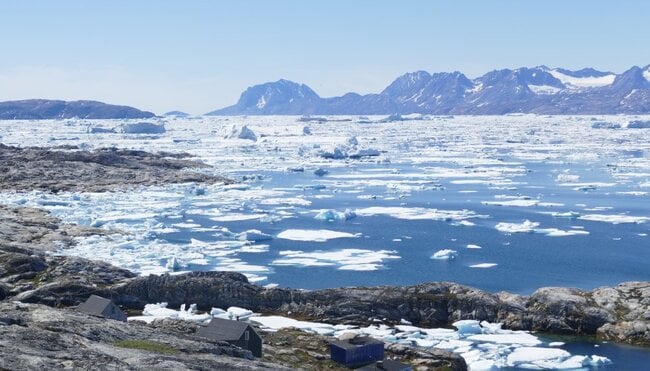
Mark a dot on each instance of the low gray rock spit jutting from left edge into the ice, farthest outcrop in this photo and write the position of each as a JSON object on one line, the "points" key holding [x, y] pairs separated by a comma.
{"points": [[68, 169]]}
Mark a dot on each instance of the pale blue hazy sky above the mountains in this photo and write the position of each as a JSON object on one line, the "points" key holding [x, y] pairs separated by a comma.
{"points": [[197, 56]]}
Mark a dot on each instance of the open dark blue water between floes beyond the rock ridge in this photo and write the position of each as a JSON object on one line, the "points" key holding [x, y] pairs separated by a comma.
{"points": [[610, 254]]}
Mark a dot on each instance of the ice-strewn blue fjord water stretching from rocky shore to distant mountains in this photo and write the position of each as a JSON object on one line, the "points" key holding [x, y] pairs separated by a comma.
{"points": [[524, 202]]}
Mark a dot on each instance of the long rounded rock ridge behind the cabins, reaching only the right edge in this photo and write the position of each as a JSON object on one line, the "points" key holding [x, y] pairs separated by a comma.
{"points": [[621, 313]]}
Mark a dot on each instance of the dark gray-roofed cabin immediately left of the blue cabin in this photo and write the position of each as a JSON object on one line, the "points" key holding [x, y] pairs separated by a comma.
{"points": [[236, 333]]}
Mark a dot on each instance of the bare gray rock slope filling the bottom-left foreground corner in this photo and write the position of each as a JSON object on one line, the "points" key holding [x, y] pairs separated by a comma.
{"points": [[40, 337]]}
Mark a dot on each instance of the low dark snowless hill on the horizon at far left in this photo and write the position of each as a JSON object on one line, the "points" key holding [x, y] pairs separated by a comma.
{"points": [[36, 109]]}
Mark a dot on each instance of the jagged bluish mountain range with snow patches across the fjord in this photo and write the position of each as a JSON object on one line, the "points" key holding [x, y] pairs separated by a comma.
{"points": [[539, 90]]}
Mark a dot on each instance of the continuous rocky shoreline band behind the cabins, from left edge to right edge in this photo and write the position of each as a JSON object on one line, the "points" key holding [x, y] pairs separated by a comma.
{"points": [[620, 313]]}
